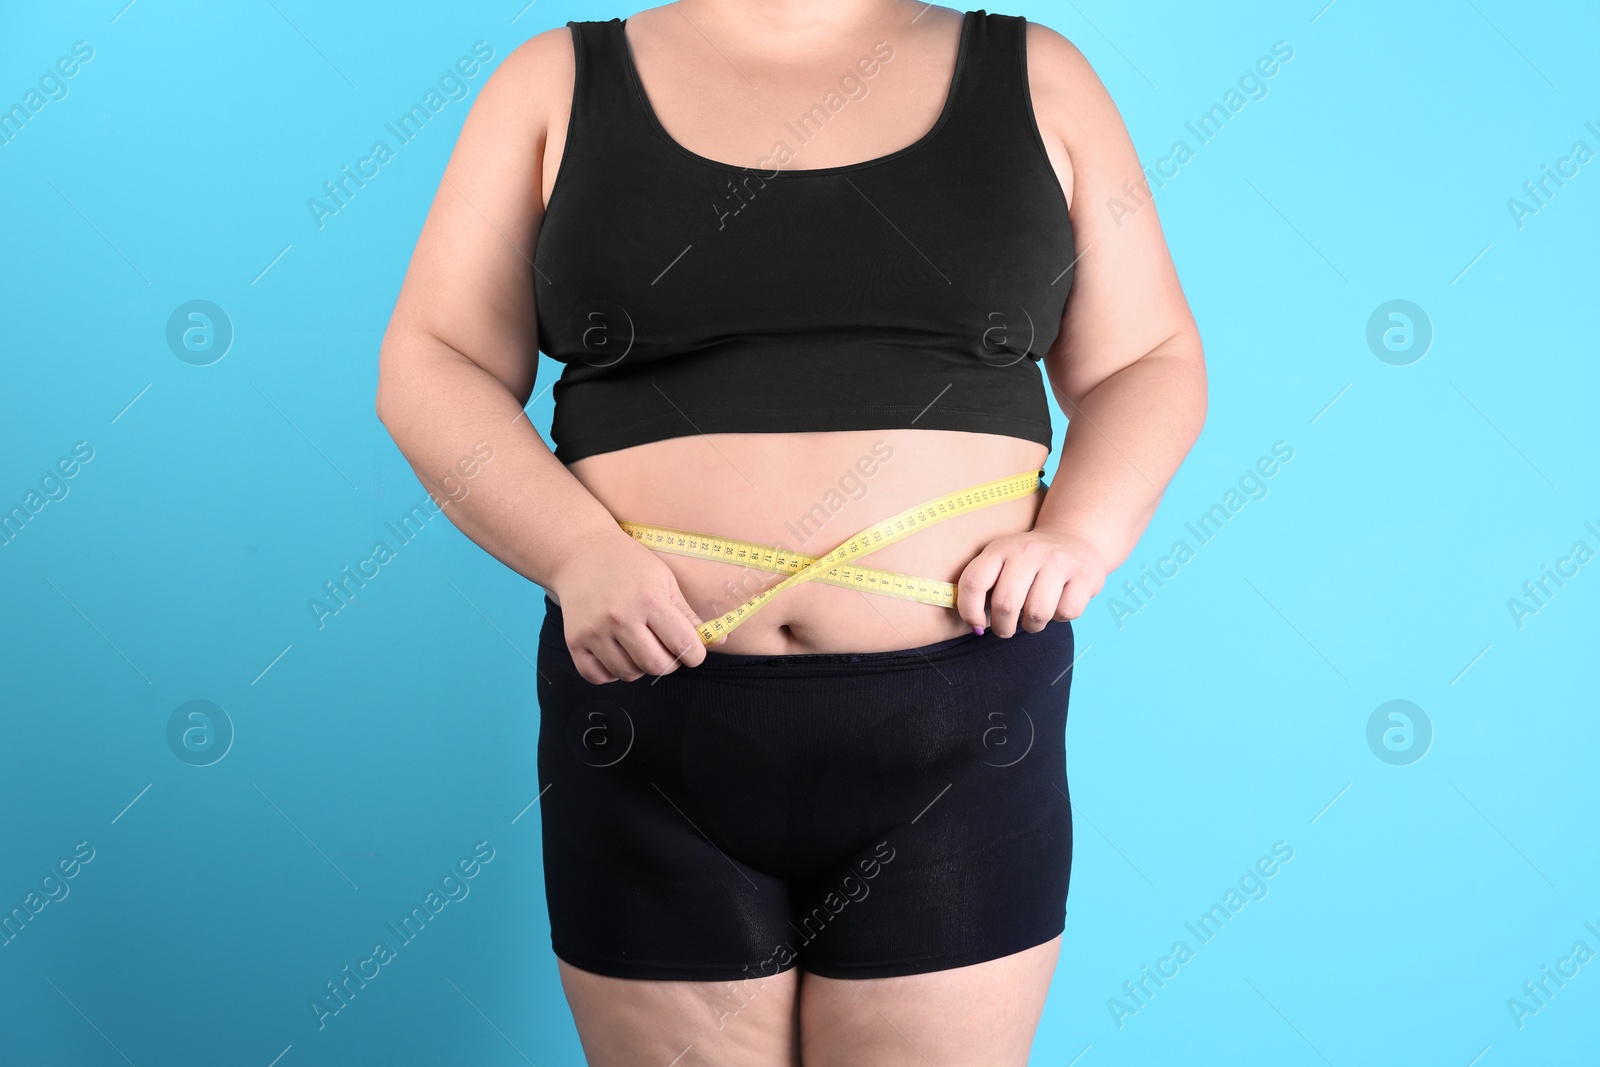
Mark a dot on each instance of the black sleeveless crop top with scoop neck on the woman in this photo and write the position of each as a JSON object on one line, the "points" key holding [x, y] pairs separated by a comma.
{"points": [[918, 290]]}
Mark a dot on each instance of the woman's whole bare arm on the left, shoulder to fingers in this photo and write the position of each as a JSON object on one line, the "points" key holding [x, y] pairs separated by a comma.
{"points": [[458, 364]]}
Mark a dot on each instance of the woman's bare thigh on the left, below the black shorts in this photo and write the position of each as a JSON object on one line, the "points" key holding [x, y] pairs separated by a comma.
{"points": [[630, 1023]]}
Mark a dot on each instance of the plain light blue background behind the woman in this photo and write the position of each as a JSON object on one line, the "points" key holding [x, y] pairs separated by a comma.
{"points": [[1228, 714]]}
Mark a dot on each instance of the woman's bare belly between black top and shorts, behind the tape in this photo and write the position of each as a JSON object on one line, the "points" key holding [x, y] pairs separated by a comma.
{"points": [[809, 494]]}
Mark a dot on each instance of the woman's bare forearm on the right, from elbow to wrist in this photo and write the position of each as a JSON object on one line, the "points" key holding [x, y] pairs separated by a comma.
{"points": [[1124, 444]]}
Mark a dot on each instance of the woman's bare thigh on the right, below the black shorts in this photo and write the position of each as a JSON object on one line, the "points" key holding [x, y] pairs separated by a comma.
{"points": [[974, 1015]]}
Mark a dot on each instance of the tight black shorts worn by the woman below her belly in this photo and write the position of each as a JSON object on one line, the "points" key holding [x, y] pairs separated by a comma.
{"points": [[860, 815]]}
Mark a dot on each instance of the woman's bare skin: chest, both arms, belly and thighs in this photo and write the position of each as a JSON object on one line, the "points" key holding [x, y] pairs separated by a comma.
{"points": [[458, 364]]}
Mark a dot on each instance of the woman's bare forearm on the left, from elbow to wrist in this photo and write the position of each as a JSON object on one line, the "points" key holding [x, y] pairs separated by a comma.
{"points": [[522, 506]]}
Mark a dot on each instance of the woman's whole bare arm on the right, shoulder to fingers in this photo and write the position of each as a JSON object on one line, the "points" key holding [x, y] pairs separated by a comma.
{"points": [[1127, 367]]}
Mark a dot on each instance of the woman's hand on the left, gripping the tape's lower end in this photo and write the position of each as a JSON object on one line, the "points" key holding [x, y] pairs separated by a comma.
{"points": [[625, 615]]}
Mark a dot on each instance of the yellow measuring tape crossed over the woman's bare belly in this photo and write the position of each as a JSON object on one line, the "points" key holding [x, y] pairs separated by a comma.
{"points": [[833, 569]]}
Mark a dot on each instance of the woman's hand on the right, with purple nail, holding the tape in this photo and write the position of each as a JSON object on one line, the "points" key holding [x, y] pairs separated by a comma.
{"points": [[1038, 577]]}
